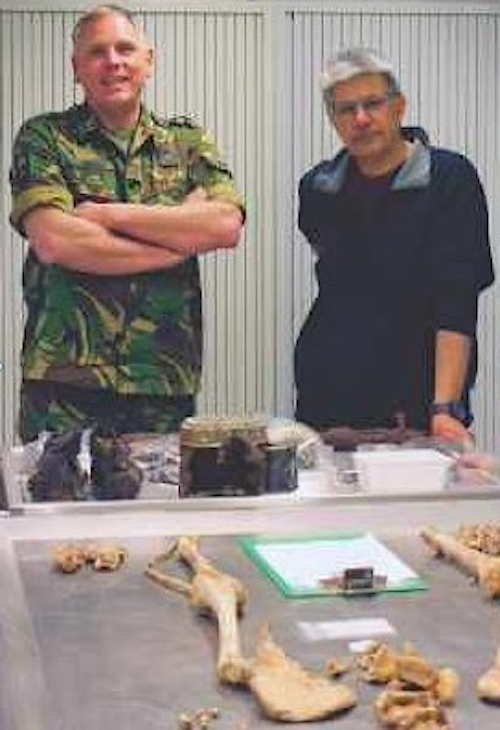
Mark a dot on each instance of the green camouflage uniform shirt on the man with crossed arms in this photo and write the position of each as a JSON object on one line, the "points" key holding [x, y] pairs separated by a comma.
{"points": [[135, 335]]}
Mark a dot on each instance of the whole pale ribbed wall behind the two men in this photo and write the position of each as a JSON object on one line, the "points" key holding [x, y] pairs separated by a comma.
{"points": [[250, 73]]}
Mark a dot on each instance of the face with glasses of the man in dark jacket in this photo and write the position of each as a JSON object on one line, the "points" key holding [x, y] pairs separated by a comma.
{"points": [[367, 118]]}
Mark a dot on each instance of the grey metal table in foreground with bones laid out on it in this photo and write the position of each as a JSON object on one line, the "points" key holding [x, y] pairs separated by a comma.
{"points": [[96, 650]]}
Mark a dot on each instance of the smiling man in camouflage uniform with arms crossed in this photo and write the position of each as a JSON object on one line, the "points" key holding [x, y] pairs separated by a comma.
{"points": [[115, 205]]}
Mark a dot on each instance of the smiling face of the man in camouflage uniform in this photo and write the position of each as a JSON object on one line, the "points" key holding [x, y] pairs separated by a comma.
{"points": [[112, 62]]}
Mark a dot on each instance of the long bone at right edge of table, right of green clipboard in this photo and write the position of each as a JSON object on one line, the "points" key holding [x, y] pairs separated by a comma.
{"points": [[484, 568]]}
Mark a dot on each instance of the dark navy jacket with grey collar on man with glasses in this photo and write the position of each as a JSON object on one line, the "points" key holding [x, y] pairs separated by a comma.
{"points": [[392, 270]]}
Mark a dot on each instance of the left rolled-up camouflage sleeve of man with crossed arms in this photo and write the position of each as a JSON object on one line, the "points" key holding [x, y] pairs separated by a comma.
{"points": [[36, 178]]}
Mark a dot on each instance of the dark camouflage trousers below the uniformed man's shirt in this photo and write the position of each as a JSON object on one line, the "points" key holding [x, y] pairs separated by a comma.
{"points": [[59, 408]]}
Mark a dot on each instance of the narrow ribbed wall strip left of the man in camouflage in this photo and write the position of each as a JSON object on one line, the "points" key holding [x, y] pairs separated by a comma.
{"points": [[35, 75]]}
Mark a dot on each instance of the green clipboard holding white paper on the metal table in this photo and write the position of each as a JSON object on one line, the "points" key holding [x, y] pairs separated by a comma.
{"points": [[298, 565]]}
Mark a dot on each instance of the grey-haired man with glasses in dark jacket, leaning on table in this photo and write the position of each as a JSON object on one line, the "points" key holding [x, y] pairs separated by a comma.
{"points": [[400, 233]]}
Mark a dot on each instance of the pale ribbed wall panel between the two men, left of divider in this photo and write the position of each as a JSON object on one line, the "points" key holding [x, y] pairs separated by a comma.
{"points": [[210, 66]]}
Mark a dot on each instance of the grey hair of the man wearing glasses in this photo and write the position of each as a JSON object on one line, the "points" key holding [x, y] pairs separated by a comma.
{"points": [[351, 63]]}
